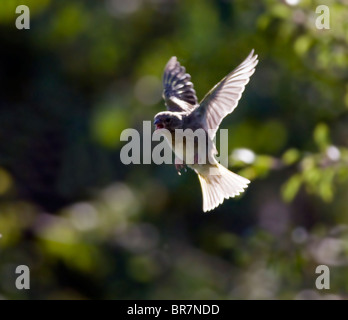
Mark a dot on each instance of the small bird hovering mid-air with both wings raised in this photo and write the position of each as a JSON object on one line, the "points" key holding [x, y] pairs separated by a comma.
{"points": [[184, 112]]}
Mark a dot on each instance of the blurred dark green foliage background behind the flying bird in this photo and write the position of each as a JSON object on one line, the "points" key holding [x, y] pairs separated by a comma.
{"points": [[90, 227]]}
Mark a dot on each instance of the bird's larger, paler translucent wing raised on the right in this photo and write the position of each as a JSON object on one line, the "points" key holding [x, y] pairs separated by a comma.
{"points": [[224, 97]]}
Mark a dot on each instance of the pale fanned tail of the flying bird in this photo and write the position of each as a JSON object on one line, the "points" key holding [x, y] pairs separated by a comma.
{"points": [[216, 188]]}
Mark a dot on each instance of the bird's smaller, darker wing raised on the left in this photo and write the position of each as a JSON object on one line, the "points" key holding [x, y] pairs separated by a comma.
{"points": [[178, 92]]}
